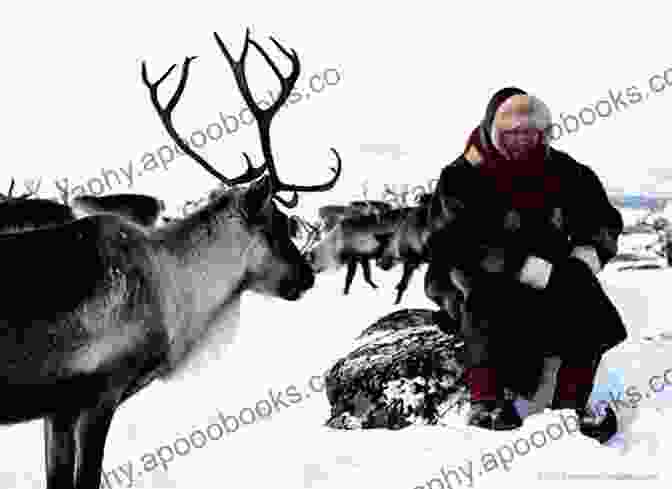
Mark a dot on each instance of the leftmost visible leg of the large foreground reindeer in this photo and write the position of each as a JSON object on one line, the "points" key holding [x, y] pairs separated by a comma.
{"points": [[59, 443]]}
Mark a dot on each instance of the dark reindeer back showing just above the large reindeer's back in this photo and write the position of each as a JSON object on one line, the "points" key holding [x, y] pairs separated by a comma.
{"points": [[142, 209]]}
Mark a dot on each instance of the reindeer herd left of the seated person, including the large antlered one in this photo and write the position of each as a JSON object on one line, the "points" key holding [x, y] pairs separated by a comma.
{"points": [[111, 296]]}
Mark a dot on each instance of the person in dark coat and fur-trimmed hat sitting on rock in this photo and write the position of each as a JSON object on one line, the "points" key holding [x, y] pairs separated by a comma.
{"points": [[525, 228]]}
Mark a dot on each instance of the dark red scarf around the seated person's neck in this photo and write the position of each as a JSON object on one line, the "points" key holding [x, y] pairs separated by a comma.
{"points": [[523, 184]]}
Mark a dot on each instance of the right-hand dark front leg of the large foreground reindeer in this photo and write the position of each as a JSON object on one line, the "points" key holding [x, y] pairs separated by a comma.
{"points": [[90, 435]]}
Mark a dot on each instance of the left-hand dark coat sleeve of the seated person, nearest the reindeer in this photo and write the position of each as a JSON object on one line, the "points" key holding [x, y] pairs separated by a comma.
{"points": [[461, 226]]}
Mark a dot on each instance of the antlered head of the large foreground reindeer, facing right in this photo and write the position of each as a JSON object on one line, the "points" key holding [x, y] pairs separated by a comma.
{"points": [[272, 263]]}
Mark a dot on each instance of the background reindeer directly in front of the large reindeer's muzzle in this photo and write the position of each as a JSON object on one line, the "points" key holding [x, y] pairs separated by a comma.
{"points": [[357, 238]]}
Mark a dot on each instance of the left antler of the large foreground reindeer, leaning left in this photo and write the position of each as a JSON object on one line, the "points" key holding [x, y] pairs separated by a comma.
{"points": [[166, 114]]}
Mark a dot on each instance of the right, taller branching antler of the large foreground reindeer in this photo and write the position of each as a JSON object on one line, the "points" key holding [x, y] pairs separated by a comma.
{"points": [[265, 116]]}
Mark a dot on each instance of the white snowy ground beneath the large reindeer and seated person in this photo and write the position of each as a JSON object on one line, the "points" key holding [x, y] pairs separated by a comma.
{"points": [[287, 343]]}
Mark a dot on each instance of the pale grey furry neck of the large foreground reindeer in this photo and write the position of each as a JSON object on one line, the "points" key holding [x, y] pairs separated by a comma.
{"points": [[205, 254]]}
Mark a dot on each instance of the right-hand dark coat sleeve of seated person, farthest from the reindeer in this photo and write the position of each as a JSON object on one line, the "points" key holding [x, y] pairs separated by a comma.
{"points": [[592, 219]]}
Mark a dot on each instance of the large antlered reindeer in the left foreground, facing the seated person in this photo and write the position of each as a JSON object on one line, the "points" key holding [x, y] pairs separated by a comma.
{"points": [[139, 301]]}
